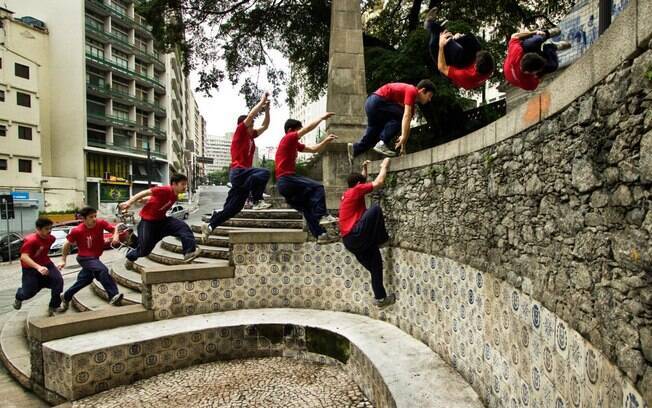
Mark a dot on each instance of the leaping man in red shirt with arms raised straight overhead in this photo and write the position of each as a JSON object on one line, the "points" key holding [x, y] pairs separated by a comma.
{"points": [[245, 180]]}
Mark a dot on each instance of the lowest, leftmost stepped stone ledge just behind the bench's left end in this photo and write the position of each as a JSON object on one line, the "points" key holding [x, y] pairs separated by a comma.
{"points": [[72, 324]]}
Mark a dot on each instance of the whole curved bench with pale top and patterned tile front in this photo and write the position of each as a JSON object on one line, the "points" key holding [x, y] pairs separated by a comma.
{"points": [[393, 368]]}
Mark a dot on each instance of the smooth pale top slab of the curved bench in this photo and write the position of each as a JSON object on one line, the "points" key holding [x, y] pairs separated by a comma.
{"points": [[414, 374]]}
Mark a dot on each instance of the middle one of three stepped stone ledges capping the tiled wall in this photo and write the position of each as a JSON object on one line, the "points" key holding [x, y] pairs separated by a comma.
{"points": [[189, 272]]}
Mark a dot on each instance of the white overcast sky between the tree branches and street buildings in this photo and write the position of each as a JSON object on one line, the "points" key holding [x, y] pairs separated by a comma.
{"points": [[221, 111]]}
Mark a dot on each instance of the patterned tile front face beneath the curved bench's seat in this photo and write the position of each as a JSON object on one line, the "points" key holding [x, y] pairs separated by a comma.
{"points": [[84, 374]]}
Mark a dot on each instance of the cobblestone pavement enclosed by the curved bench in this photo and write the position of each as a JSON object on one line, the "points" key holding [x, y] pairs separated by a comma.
{"points": [[266, 382]]}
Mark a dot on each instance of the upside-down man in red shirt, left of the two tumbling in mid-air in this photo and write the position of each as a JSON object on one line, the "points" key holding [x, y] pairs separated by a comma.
{"points": [[458, 57]]}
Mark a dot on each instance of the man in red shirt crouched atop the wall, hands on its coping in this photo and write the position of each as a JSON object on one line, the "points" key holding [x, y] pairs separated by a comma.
{"points": [[389, 111]]}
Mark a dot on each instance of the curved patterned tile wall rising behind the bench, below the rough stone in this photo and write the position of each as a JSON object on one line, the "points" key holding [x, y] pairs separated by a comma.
{"points": [[511, 349]]}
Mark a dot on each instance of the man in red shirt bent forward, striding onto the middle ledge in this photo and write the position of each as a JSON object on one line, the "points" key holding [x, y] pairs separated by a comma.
{"points": [[155, 224]]}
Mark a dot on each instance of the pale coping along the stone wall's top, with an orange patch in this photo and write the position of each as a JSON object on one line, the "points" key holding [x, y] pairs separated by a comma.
{"points": [[627, 35]]}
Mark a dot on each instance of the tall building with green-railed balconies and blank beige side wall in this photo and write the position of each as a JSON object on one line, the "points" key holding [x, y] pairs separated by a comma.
{"points": [[119, 111]]}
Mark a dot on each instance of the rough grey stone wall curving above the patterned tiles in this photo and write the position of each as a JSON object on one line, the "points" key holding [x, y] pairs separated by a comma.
{"points": [[561, 211]]}
